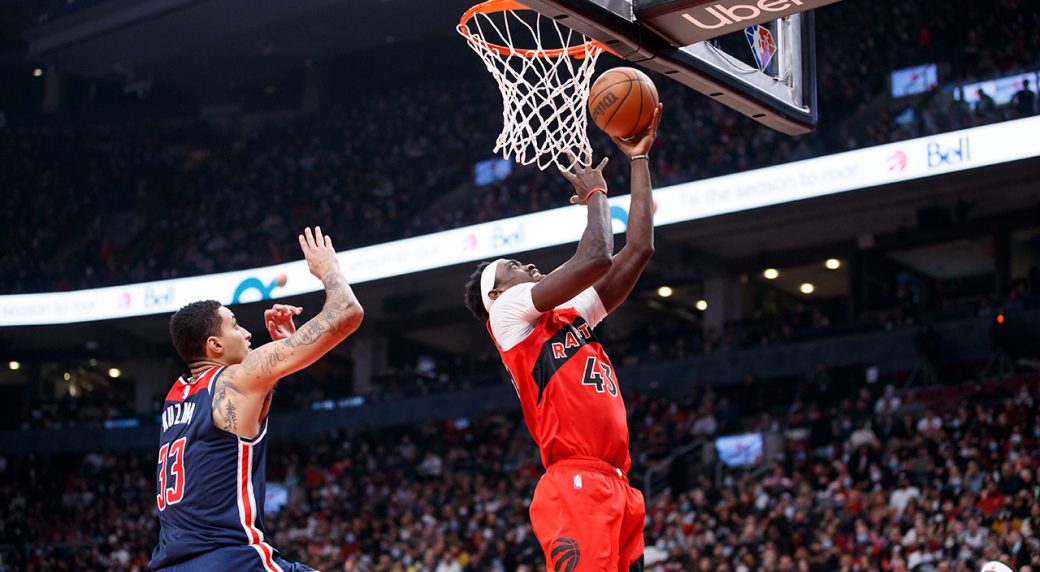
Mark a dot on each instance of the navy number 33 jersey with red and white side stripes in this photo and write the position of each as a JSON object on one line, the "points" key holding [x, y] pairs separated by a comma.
{"points": [[211, 486]]}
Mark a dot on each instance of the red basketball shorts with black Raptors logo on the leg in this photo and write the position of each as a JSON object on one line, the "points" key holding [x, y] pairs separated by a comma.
{"points": [[587, 518]]}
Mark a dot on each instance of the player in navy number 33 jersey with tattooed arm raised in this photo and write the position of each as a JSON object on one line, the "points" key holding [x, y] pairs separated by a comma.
{"points": [[211, 476]]}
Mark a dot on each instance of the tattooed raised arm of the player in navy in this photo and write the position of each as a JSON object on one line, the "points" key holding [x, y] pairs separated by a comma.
{"points": [[242, 394]]}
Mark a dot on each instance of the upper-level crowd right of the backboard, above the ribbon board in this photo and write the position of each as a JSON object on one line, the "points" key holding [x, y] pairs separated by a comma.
{"points": [[975, 40]]}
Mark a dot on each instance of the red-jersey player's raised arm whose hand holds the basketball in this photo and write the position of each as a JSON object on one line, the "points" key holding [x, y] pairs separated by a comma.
{"points": [[633, 259]]}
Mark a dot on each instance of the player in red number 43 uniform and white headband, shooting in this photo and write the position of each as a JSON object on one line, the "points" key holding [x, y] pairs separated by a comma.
{"points": [[584, 513]]}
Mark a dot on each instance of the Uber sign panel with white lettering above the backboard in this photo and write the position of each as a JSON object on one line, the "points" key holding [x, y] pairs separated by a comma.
{"points": [[686, 22]]}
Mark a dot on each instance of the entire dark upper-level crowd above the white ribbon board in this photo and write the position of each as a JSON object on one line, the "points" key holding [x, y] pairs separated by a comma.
{"points": [[100, 205]]}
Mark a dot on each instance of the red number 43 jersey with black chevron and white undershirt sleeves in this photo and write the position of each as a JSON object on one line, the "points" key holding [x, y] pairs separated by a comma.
{"points": [[566, 383]]}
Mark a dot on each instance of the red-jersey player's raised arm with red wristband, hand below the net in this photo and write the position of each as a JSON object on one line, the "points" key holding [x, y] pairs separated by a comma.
{"points": [[592, 259]]}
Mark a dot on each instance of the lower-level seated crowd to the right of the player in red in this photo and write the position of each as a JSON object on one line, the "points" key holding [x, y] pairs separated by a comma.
{"points": [[876, 487]]}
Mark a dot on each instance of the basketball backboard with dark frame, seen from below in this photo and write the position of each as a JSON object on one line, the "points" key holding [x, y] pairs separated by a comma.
{"points": [[756, 57]]}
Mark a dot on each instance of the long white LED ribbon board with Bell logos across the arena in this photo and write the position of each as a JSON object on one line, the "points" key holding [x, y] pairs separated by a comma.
{"points": [[834, 174]]}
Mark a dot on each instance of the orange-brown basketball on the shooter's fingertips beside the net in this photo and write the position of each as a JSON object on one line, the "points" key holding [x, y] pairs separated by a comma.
{"points": [[622, 102]]}
